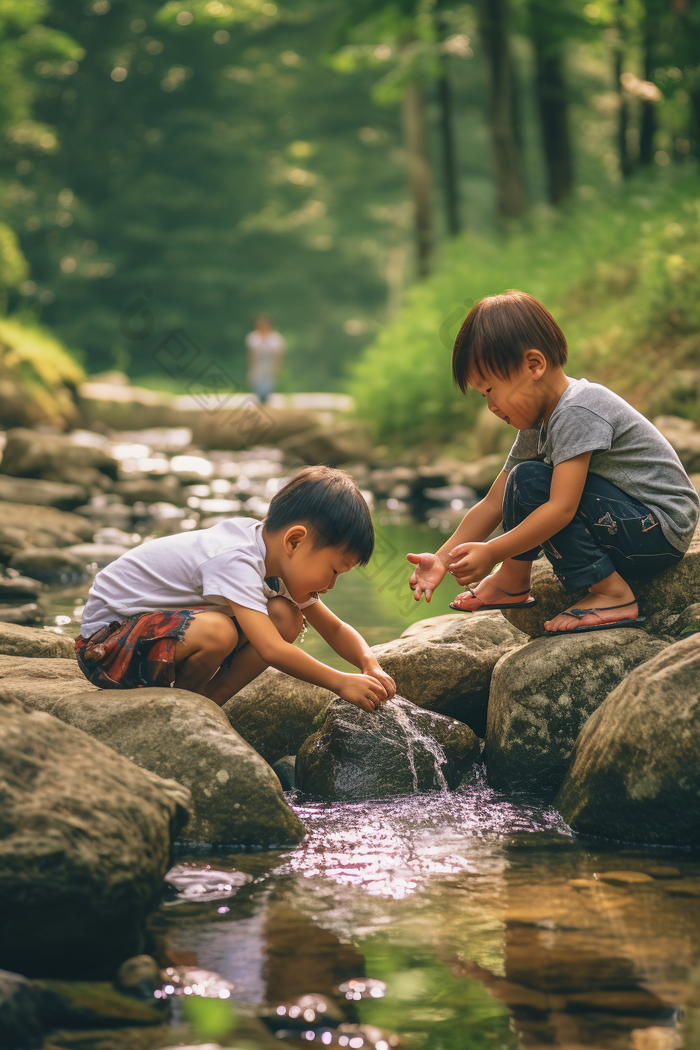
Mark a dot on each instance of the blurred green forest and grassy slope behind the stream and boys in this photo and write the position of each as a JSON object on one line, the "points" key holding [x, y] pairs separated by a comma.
{"points": [[360, 170]]}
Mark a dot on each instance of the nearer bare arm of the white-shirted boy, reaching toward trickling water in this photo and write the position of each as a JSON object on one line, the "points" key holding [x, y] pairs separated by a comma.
{"points": [[363, 690]]}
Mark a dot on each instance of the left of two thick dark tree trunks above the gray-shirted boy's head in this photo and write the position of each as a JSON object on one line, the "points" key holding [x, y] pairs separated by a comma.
{"points": [[512, 199]]}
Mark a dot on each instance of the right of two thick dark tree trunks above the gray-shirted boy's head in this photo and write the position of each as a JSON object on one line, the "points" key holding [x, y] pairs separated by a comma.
{"points": [[553, 103]]}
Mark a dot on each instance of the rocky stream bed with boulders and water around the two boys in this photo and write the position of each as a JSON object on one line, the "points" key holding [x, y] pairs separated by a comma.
{"points": [[511, 846]]}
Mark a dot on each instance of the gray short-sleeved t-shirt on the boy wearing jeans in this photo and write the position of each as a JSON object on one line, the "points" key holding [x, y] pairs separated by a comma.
{"points": [[628, 451]]}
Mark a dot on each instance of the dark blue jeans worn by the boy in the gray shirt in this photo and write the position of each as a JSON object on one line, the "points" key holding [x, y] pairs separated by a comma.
{"points": [[611, 532]]}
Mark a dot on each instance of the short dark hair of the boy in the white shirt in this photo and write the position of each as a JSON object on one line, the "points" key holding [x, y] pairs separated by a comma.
{"points": [[332, 505]]}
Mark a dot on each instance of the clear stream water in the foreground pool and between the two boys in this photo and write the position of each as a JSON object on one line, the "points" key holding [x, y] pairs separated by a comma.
{"points": [[492, 926]]}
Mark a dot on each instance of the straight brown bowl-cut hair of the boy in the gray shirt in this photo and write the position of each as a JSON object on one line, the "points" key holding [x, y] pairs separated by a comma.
{"points": [[498, 332]]}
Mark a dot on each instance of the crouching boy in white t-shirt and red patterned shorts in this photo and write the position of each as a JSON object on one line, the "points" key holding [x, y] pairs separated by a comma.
{"points": [[210, 611]]}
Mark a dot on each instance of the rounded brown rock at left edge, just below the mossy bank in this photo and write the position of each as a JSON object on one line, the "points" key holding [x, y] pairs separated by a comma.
{"points": [[52, 457]]}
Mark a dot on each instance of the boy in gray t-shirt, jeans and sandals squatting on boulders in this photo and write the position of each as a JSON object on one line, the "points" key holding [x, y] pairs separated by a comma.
{"points": [[589, 480]]}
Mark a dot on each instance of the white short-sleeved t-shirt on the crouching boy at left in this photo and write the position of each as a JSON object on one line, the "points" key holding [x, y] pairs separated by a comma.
{"points": [[204, 568]]}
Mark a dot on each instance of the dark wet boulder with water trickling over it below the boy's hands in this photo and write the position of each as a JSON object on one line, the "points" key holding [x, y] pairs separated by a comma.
{"points": [[398, 750]]}
